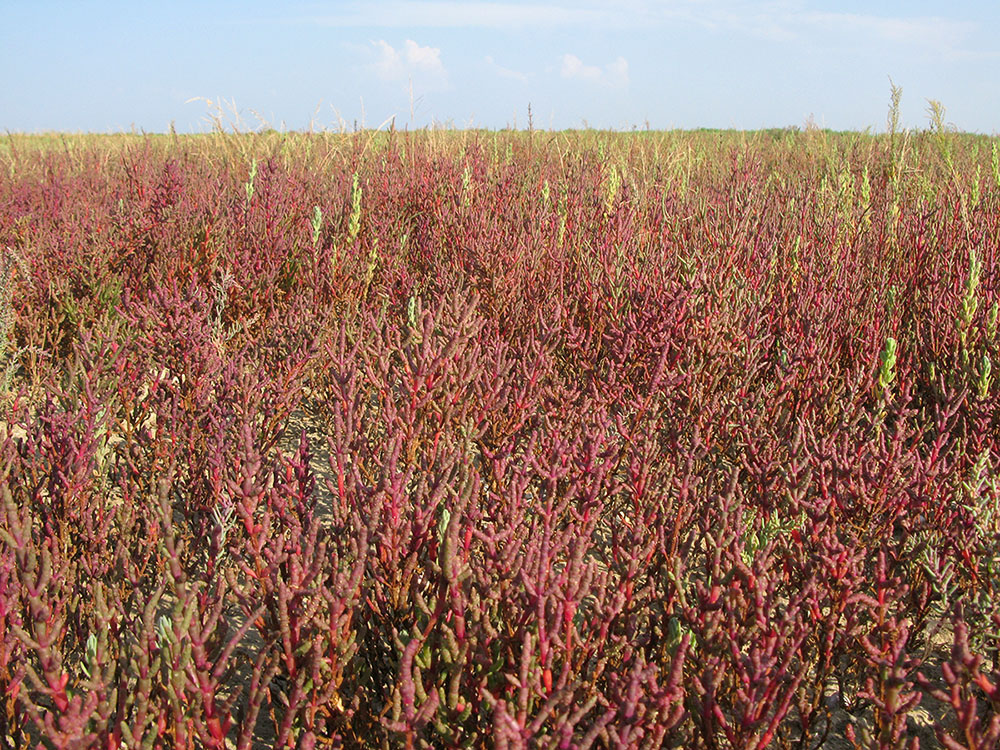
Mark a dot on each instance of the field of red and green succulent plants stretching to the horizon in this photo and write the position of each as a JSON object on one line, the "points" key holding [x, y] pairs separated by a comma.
{"points": [[516, 439]]}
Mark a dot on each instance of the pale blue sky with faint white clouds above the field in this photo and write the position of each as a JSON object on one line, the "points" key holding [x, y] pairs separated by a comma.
{"points": [[622, 64]]}
